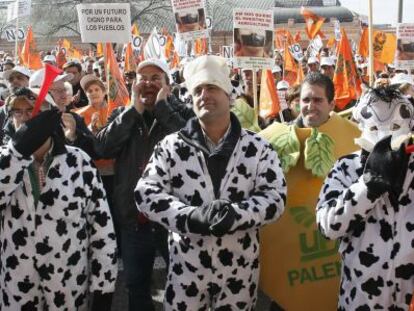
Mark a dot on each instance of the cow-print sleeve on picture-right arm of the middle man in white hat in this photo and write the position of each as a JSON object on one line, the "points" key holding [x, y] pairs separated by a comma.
{"points": [[267, 200]]}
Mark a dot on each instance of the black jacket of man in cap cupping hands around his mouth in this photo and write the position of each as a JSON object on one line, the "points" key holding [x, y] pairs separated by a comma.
{"points": [[130, 141]]}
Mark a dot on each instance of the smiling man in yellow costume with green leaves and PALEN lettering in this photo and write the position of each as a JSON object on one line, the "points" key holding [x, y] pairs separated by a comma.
{"points": [[300, 269]]}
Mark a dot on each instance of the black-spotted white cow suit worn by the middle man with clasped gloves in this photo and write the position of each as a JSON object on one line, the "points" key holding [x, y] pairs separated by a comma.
{"points": [[206, 271]]}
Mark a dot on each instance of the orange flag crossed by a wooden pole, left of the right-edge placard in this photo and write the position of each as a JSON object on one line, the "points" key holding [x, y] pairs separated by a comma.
{"points": [[385, 45]]}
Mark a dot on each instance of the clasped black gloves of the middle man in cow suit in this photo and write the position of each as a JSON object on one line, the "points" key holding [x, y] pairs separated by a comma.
{"points": [[201, 219]]}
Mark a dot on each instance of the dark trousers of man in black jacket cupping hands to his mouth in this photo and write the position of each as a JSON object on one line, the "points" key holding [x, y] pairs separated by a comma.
{"points": [[139, 245]]}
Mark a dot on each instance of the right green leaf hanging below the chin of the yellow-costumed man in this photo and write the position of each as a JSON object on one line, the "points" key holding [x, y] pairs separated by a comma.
{"points": [[319, 153]]}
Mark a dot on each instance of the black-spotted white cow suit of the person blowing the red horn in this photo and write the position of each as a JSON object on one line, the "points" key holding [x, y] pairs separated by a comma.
{"points": [[53, 254]]}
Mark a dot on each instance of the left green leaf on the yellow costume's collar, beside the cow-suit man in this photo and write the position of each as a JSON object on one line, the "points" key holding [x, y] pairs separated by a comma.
{"points": [[287, 146]]}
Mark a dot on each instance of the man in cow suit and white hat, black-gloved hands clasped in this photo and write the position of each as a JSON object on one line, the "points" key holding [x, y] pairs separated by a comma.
{"points": [[213, 185]]}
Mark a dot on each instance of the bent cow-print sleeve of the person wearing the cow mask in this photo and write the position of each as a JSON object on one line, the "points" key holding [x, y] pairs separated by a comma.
{"points": [[343, 202]]}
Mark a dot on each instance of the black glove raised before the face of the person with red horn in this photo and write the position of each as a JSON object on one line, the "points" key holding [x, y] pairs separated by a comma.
{"points": [[33, 133]]}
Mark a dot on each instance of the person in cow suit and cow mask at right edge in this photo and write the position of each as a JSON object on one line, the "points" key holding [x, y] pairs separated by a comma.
{"points": [[367, 203]]}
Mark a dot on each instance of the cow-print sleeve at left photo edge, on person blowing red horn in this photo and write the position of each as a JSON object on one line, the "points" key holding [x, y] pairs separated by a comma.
{"points": [[12, 166]]}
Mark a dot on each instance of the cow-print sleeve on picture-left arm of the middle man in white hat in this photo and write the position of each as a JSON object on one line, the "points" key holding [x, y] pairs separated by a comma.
{"points": [[153, 193]]}
